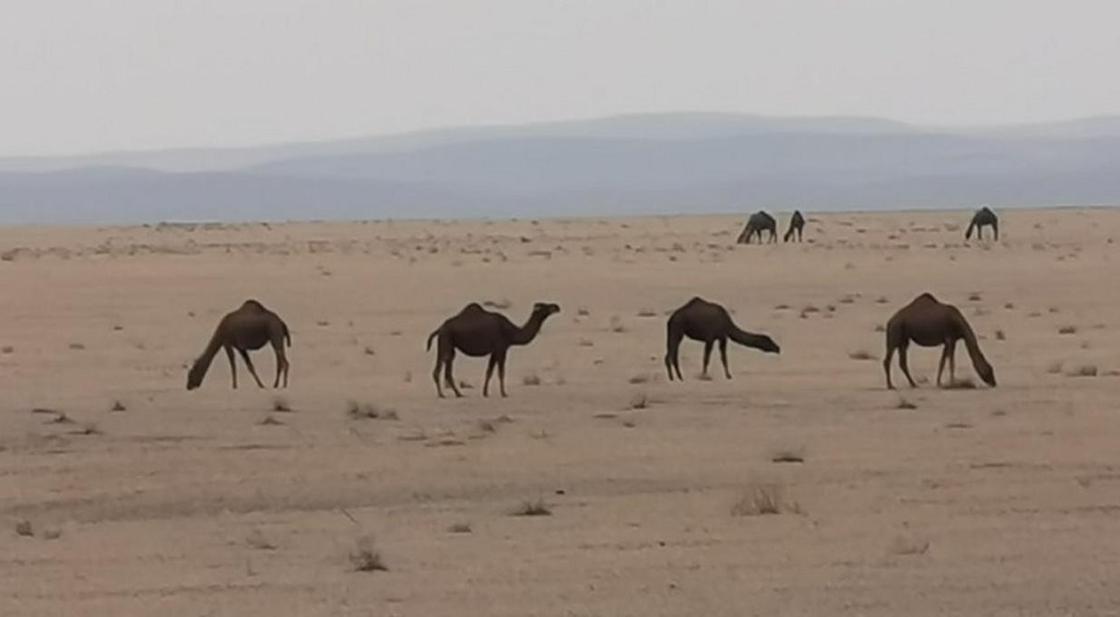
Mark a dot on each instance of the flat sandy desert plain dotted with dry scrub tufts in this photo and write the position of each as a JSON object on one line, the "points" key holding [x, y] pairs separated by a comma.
{"points": [[801, 487]]}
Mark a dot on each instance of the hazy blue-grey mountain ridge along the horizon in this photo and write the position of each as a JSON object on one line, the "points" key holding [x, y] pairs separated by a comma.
{"points": [[676, 163]]}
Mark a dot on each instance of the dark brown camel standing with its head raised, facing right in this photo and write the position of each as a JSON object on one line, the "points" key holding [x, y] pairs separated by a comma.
{"points": [[478, 332]]}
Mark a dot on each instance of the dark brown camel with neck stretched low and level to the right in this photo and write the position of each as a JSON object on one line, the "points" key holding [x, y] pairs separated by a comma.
{"points": [[708, 323]]}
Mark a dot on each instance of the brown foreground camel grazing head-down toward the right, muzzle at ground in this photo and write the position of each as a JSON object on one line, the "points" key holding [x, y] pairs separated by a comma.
{"points": [[929, 323]]}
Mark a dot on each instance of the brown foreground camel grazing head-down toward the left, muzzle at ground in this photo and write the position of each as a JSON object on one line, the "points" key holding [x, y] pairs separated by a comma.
{"points": [[246, 330]]}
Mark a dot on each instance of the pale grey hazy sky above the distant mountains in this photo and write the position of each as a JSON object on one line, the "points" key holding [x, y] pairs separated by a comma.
{"points": [[85, 76]]}
